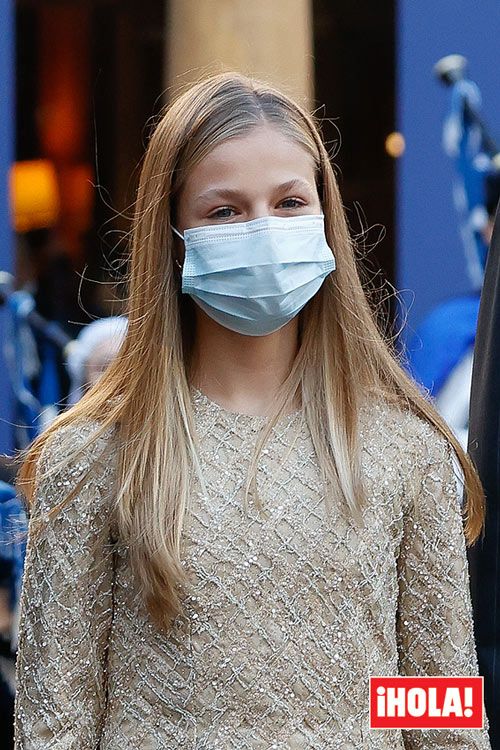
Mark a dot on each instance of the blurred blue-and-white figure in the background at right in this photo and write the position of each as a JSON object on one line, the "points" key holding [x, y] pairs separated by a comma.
{"points": [[440, 352]]}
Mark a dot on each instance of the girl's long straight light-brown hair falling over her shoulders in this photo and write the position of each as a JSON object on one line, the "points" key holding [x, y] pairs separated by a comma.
{"points": [[342, 356]]}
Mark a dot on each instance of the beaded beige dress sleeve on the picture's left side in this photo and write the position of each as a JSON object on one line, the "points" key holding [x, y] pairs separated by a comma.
{"points": [[66, 603]]}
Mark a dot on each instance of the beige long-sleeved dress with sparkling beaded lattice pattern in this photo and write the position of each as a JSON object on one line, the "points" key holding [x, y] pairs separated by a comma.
{"points": [[287, 618]]}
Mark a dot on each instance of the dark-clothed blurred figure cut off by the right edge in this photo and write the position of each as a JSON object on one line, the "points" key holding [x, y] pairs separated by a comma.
{"points": [[484, 449]]}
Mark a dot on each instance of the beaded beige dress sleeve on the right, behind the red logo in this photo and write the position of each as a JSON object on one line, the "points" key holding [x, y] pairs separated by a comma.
{"points": [[434, 618]]}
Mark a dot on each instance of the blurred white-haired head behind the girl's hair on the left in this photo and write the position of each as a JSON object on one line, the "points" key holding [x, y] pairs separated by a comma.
{"points": [[92, 351]]}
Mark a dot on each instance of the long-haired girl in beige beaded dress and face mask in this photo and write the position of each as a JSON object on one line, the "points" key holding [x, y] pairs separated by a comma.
{"points": [[254, 509]]}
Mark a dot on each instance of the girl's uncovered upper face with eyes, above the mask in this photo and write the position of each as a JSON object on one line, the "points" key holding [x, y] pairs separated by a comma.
{"points": [[263, 173]]}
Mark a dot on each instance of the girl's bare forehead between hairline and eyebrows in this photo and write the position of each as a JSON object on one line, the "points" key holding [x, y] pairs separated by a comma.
{"points": [[264, 155]]}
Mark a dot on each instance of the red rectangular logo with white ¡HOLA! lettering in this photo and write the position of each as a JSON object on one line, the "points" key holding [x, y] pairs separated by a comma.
{"points": [[426, 702]]}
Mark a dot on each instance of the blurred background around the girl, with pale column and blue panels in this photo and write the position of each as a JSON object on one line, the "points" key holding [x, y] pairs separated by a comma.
{"points": [[408, 96]]}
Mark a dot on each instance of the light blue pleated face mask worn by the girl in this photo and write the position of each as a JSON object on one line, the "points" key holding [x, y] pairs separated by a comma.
{"points": [[254, 276]]}
